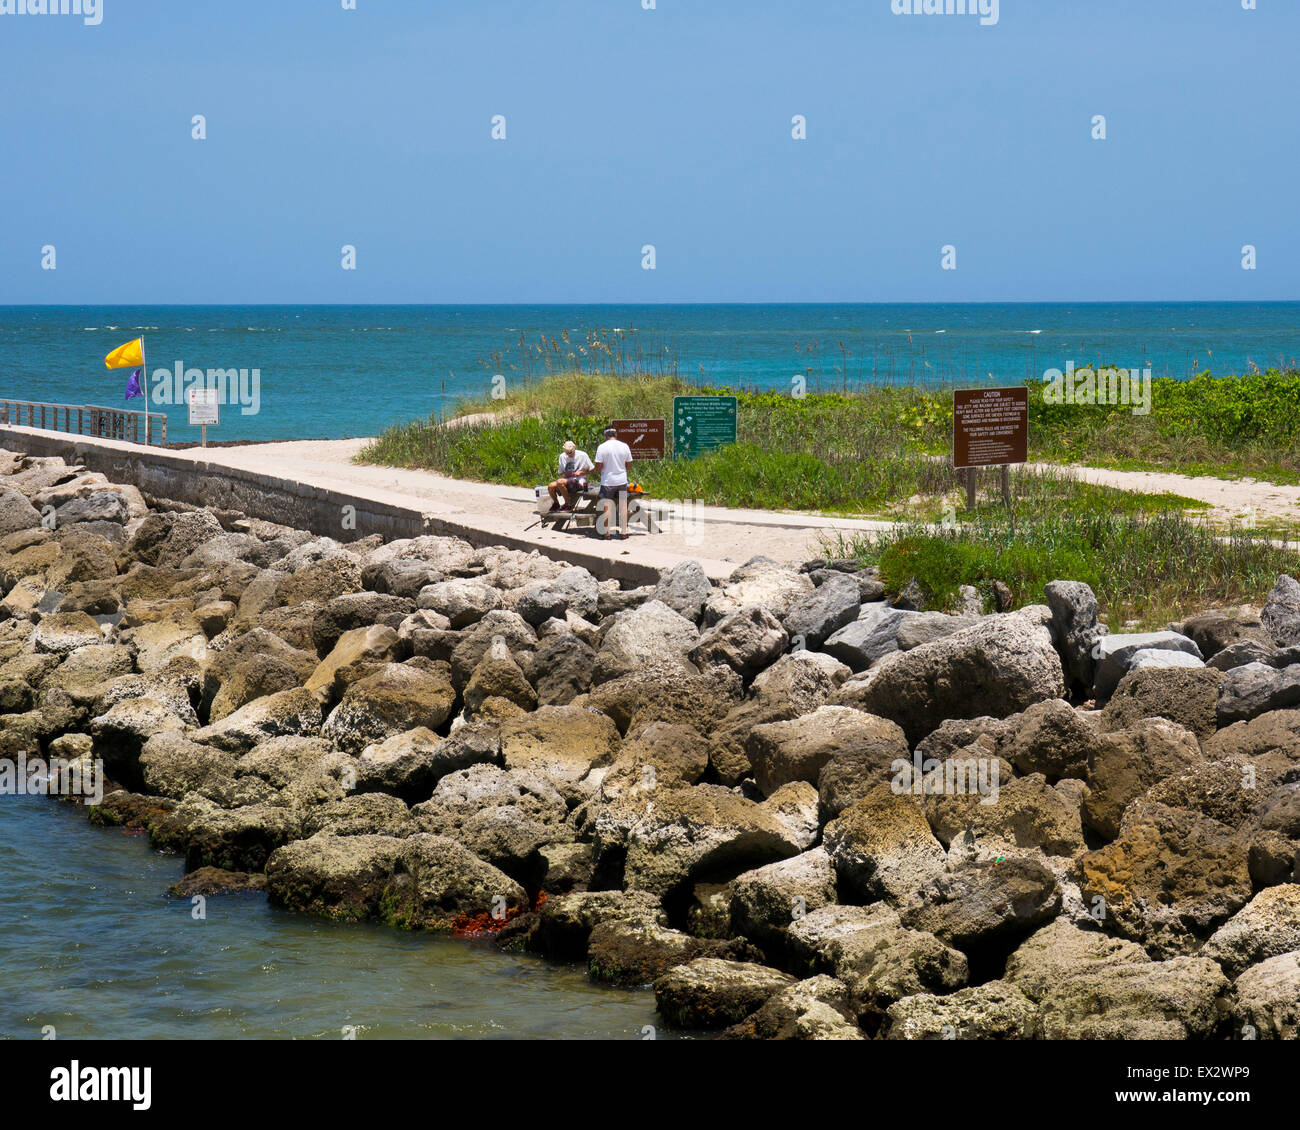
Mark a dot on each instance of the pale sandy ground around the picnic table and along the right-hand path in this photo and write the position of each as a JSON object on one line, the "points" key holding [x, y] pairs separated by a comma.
{"points": [[714, 534]]}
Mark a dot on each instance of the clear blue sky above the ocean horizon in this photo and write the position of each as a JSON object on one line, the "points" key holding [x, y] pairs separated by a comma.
{"points": [[630, 127]]}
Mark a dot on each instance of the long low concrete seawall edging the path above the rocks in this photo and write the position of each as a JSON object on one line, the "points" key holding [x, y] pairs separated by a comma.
{"points": [[198, 478]]}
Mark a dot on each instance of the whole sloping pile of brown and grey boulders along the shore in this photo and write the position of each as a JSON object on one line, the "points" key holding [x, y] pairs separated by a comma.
{"points": [[796, 809]]}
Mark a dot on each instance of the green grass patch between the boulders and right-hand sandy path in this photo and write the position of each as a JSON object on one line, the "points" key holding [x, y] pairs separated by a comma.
{"points": [[1145, 568]]}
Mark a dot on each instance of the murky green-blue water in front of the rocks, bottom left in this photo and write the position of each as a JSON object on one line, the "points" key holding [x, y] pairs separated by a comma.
{"points": [[93, 947]]}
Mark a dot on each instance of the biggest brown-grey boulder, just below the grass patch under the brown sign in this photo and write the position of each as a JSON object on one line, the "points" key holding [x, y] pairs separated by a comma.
{"points": [[999, 668]]}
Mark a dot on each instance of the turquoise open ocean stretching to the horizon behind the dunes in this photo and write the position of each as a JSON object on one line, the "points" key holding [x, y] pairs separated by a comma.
{"points": [[341, 371]]}
